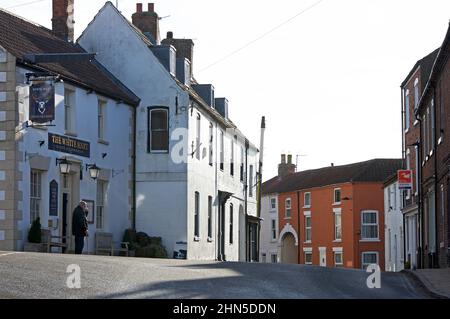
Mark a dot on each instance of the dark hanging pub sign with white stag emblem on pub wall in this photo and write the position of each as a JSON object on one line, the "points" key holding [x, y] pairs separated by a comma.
{"points": [[42, 101]]}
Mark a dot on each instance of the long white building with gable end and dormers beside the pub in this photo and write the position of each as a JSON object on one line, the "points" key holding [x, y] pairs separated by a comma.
{"points": [[193, 164]]}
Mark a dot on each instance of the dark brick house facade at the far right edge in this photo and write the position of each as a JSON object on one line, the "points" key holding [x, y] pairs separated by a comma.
{"points": [[432, 112]]}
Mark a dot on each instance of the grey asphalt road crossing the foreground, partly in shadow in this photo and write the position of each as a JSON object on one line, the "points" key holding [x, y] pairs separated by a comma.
{"points": [[31, 275]]}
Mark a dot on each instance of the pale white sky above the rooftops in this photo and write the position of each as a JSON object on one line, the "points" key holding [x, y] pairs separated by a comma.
{"points": [[327, 79]]}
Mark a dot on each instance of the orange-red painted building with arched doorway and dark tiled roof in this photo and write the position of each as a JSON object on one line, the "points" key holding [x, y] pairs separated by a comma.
{"points": [[333, 216]]}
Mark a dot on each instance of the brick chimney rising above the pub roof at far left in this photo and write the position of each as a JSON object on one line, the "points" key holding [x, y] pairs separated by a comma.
{"points": [[62, 21]]}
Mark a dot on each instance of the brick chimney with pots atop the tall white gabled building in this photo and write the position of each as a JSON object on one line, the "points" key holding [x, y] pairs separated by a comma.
{"points": [[147, 22]]}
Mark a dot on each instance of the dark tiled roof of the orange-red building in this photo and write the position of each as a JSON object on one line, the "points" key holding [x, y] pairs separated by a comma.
{"points": [[376, 171]]}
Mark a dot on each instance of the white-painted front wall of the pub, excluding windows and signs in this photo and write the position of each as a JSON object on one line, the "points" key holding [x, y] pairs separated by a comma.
{"points": [[117, 135]]}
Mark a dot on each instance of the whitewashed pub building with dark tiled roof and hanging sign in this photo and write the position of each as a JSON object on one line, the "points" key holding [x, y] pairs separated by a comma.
{"points": [[66, 134]]}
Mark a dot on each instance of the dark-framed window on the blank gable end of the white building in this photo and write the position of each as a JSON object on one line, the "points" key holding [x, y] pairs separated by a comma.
{"points": [[159, 130]]}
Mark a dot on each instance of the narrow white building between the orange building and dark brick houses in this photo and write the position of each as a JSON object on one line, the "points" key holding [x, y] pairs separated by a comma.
{"points": [[394, 234]]}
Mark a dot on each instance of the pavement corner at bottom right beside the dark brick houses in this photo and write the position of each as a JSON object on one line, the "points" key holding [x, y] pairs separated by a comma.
{"points": [[435, 281]]}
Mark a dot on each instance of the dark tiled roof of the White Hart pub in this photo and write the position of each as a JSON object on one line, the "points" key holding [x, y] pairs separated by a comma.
{"points": [[20, 37]]}
